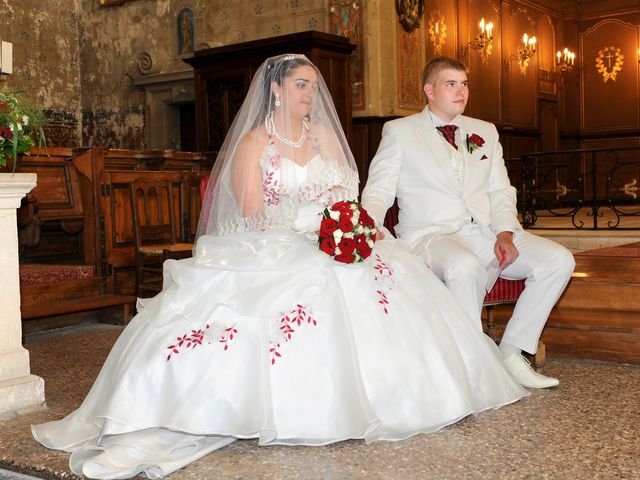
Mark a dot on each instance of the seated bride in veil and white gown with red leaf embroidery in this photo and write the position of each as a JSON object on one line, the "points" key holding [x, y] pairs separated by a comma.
{"points": [[262, 335]]}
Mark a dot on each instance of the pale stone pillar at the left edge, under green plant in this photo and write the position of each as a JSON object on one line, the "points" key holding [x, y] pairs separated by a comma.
{"points": [[19, 390]]}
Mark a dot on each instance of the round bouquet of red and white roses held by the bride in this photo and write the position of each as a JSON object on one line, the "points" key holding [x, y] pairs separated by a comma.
{"points": [[347, 232]]}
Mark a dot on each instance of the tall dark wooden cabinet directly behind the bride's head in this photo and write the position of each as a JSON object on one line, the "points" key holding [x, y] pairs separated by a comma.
{"points": [[223, 75]]}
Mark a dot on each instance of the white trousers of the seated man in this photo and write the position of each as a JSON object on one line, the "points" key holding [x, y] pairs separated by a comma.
{"points": [[461, 260]]}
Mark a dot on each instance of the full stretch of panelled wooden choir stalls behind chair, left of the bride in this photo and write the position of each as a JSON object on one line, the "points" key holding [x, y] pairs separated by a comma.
{"points": [[79, 216]]}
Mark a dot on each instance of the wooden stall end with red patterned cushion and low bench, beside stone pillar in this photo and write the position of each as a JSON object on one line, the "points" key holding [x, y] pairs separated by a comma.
{"points": [[60, 280]]}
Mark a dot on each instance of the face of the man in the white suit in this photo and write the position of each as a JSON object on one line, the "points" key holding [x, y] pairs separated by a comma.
{"points": [[447, 93]]}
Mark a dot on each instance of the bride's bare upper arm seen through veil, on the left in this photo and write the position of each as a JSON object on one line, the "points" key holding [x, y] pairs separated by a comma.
{"points": [[246, 175]]}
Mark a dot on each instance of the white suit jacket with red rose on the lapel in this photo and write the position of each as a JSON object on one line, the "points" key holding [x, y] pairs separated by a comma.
{"points": [[413, 164]]}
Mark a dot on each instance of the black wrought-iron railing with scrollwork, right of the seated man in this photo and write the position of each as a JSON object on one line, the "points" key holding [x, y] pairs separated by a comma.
{"points": [[580, 187]]}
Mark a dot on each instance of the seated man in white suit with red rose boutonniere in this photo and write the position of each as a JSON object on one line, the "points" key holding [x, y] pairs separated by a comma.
{"points": [[458, 210]]}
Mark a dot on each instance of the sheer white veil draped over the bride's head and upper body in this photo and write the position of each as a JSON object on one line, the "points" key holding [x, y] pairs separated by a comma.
{"points": [[287, 121]]}
